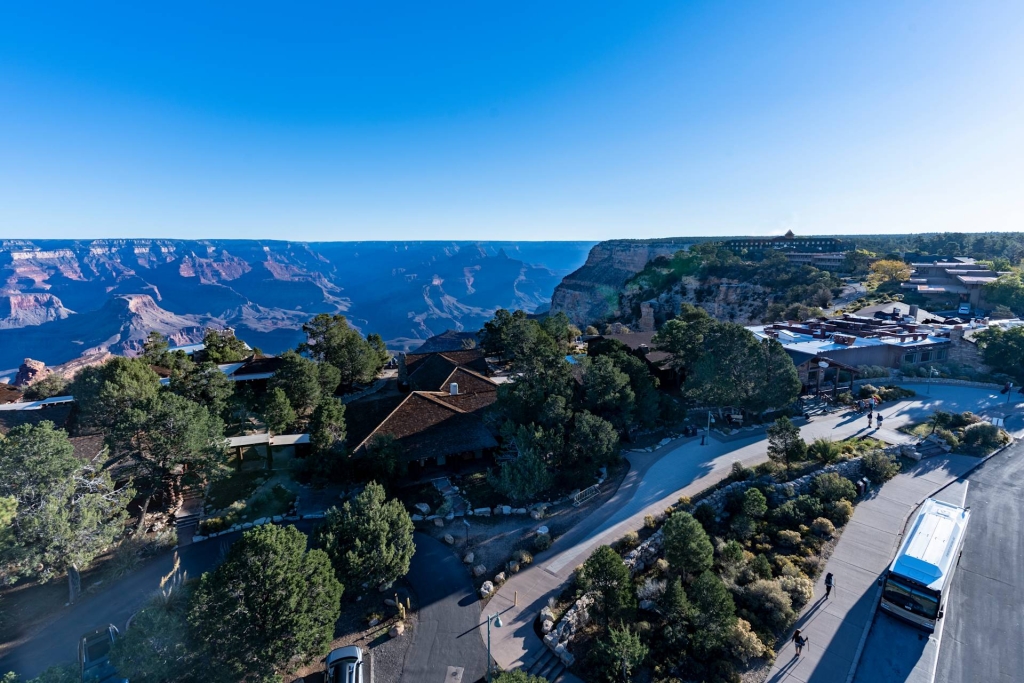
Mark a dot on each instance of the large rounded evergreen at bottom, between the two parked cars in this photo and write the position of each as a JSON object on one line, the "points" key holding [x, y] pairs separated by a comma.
{"points": [[271, 602]]}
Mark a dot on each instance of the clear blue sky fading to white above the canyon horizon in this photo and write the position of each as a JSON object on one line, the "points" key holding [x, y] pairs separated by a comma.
{"points": [[509, 120]]}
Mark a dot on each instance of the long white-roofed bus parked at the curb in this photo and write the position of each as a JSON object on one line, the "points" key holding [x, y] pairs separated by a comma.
{"points": [[918, 582]]}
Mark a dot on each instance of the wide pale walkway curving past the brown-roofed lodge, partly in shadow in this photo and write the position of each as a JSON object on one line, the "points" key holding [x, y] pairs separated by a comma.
{"points": [[658, 480]]}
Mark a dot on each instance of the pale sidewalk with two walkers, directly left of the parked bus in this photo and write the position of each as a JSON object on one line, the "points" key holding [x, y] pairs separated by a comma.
{"points": [[837, 627]]}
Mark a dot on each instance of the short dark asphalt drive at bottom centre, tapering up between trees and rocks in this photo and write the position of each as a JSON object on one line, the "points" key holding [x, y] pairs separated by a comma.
{"points": [[448, 627]]}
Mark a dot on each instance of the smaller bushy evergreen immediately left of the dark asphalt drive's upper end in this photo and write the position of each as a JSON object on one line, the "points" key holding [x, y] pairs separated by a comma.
{"points": [[369, 539]]}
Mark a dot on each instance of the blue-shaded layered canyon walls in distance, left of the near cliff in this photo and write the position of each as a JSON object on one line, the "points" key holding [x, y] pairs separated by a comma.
{"points": [[61, 300]]}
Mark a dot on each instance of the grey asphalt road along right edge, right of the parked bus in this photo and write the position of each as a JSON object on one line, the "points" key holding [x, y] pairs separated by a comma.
{"points": [[986, 615]]}
